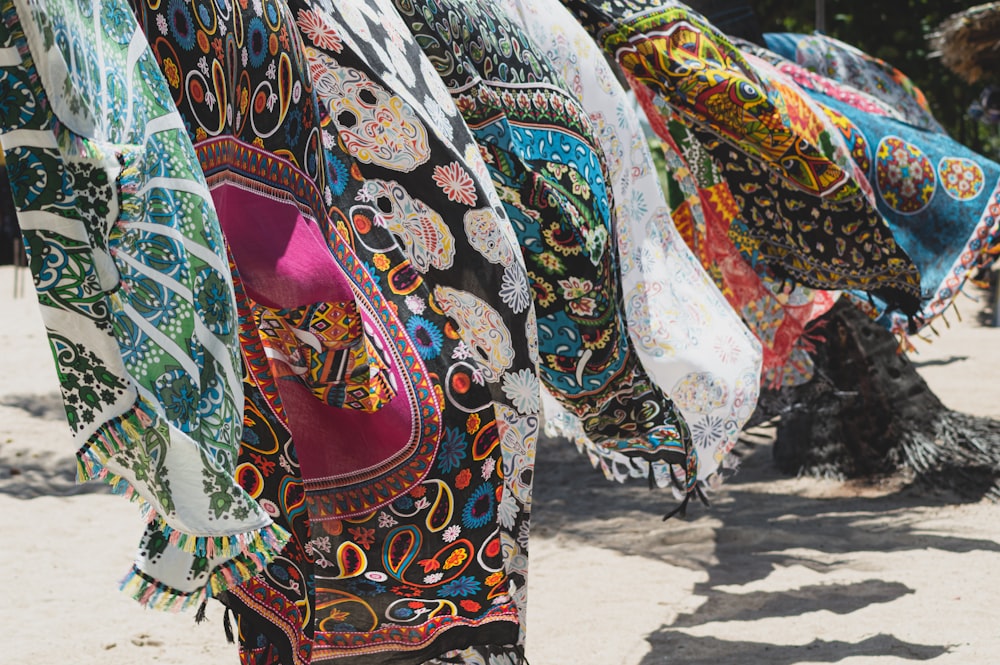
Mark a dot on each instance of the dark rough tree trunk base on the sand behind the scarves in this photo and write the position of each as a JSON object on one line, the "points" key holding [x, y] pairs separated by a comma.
{"points": [[868, 413]]}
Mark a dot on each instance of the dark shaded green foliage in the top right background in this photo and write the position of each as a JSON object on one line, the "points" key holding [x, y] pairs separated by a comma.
{"points": [[895, 31]]}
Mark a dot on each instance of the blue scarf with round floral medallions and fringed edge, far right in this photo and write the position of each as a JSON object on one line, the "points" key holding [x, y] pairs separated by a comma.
{"points": [[941, 200]]}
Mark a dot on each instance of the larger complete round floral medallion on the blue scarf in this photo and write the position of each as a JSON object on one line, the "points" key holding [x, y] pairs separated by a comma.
{"points": [[904, 174]]}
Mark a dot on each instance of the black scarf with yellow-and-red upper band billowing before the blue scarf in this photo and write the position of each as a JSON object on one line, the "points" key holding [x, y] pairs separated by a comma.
{"points": [[810, 221]]}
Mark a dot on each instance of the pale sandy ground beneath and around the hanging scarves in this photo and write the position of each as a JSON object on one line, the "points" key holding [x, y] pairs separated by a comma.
{"points": [[779, 570]]}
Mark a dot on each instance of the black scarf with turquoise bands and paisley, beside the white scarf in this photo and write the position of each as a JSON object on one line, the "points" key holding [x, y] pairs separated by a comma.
{"points": [[541, 152]]}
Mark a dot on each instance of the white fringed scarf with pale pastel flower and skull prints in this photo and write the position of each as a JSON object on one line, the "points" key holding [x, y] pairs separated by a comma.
{"points": [[688, 338]]}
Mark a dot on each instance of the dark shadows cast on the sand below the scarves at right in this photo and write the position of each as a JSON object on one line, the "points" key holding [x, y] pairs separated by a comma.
{"points": [[747, 534]]}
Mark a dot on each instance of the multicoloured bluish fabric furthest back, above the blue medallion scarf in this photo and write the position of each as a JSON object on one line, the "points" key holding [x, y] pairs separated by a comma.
{"points": [[833, 59]]}
